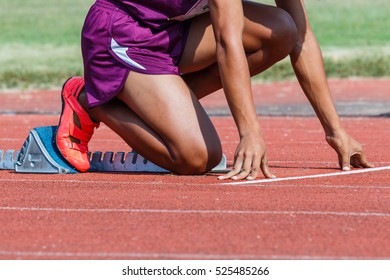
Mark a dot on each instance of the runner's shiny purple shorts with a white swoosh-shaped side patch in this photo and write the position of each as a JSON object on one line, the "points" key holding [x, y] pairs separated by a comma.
{"points": [[114, 43]]}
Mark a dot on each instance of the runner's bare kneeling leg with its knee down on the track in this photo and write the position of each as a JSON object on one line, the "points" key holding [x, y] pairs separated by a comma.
{"points": [[161, 119]]}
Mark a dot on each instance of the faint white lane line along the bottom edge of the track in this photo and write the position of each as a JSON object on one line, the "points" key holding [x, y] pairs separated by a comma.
{"points": [[161, 255]]}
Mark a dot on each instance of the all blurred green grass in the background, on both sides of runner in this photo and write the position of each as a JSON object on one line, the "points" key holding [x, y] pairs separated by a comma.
{"points": [[40, 40]]}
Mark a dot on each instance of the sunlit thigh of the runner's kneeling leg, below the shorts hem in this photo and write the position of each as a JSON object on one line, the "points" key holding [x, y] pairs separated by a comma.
{"points": [[166, 104]]}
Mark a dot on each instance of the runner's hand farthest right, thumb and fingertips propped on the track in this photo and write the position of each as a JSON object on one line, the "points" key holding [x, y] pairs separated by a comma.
{"points": [[349, 151]]}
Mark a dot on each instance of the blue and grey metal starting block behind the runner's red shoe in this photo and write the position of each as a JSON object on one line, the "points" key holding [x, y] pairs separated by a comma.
{"points": [[39, 154]]}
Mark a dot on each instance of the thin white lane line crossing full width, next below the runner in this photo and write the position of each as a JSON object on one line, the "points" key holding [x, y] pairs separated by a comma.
{"points": [[195, 211]]}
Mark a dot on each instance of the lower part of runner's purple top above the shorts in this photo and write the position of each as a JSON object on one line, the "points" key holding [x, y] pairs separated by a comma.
{"points": [[158, 13]]}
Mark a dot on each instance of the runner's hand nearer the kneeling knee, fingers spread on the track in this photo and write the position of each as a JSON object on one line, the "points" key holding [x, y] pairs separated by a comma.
{"points": [[250, 158]]}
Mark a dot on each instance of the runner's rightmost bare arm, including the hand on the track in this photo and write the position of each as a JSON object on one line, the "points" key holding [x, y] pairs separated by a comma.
{"points": [[306, 59]]}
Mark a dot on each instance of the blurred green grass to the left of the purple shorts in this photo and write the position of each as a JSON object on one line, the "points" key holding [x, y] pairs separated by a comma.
{"points": [[40, 42]]}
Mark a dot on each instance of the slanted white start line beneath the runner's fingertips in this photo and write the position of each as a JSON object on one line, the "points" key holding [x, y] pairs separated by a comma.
{"points": [[340, 173]]}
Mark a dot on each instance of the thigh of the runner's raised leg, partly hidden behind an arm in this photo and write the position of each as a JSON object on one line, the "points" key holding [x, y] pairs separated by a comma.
{"points": [[200, 51]]}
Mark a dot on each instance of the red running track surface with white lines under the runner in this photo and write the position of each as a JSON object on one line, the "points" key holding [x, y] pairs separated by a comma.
{"points": [[150, 216]]}
